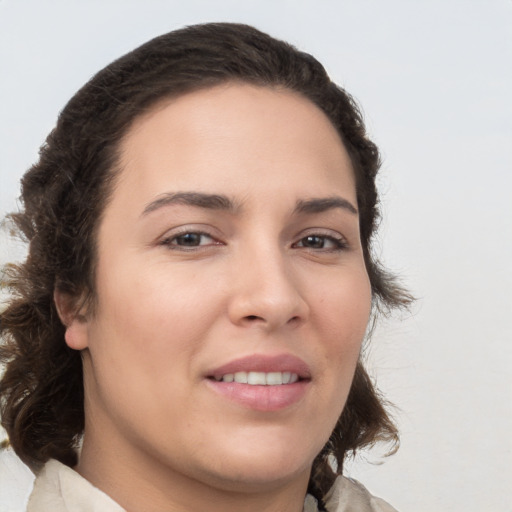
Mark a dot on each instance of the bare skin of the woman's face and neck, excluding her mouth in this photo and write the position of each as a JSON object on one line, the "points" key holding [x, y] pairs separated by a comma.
{"points": [[158, 435]]}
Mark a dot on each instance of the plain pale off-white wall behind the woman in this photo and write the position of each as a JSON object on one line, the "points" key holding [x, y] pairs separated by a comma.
{"points": [[434, 79]]}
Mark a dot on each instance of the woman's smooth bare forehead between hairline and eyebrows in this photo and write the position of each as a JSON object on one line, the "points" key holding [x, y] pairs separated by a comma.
{"points": [[222, 138]]}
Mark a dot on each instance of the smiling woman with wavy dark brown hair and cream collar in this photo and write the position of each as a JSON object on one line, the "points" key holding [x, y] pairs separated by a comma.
{"points": [[185, 332]]}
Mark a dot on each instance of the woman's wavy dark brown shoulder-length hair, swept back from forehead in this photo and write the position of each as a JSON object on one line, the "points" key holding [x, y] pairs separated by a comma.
{"points": [[65, 193]]}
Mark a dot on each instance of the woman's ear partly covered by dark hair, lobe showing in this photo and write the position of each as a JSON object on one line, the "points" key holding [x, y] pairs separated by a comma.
{"points": [[73, 318]]}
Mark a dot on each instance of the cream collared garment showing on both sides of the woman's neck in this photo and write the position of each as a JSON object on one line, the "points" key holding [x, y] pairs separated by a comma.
{"points": [[58, 488]]}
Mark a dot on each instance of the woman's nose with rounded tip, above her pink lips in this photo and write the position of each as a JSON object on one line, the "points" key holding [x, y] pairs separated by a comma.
{"points": [[267, 292]]}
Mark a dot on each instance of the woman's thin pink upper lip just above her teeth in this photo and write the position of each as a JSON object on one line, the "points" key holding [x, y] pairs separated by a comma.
{"points": [[264, 363]]}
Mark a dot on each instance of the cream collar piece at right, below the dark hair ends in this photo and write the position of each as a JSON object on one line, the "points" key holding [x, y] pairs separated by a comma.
{"points": [[347, 494]]}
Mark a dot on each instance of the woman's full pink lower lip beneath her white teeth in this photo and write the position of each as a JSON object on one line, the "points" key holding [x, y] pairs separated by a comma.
{"points": [[261, 398]]}
